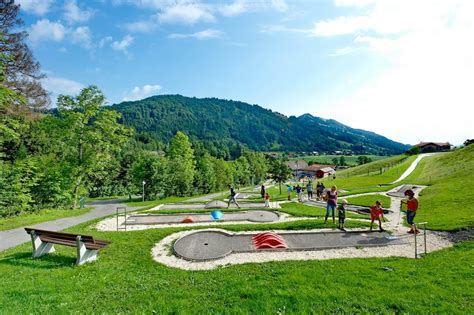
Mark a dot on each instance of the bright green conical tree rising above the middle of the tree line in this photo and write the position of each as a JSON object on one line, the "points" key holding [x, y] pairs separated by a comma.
{"points": [[182, 166]]}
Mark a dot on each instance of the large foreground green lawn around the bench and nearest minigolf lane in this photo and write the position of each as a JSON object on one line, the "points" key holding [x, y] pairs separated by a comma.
{"points": [[125, 279]]}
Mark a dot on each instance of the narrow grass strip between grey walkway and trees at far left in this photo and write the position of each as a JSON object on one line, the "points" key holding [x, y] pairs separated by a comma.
{"points": [[38, 217]]}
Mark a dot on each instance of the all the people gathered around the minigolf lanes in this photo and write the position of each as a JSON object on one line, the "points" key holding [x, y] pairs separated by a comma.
{"points": [[330, 196]]}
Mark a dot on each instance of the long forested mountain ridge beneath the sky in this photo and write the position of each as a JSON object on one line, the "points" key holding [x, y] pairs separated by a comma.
{"points": [[225, 124]]}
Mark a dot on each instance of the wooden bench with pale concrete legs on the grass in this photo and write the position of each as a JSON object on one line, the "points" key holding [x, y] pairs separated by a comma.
{"points": [[87, 247]]}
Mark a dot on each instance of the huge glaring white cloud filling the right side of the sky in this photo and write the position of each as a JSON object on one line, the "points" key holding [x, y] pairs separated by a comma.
{"points": [[425, 90]]}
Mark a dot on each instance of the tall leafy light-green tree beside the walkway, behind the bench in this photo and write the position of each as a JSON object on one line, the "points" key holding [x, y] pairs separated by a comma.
{"points": [[91, 135]]}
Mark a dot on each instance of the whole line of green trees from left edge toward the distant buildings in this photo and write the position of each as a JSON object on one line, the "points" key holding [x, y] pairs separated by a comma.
{"points": [[52, 158]]}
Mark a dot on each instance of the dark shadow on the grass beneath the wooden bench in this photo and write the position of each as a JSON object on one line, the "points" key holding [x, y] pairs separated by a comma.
{"points": [[48, 261]]}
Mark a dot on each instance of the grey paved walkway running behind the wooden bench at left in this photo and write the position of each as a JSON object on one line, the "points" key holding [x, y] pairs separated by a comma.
{"points": [[15, 237]]}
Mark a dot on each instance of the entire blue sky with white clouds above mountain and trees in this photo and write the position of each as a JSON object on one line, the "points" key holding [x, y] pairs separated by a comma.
{"points": [[391, 66]]}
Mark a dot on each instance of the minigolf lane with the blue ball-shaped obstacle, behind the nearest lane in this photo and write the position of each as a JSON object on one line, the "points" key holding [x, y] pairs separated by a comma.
{"points": [[250, 216]]}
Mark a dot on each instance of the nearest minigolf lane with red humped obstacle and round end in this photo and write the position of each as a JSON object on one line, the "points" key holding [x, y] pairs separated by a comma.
{"points": [[211, 244]]}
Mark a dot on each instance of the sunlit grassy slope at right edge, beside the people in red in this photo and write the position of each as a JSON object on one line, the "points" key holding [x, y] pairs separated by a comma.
{"points": [[448, 202]]}
